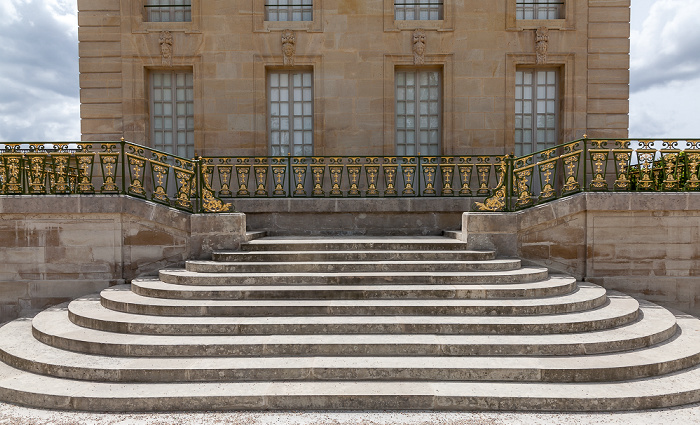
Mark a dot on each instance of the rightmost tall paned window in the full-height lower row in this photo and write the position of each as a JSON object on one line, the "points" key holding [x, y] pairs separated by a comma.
{"points": [[536, 110]]}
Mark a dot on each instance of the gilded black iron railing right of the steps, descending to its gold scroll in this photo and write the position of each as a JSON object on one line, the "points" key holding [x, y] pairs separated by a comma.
{"points": [[597, 165]]}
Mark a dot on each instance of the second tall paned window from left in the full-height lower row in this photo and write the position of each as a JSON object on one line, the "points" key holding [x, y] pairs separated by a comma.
{"points": [[290, 107]]}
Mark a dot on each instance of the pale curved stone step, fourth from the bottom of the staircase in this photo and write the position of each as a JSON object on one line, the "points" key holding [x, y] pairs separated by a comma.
{"points": [[88, 312]]}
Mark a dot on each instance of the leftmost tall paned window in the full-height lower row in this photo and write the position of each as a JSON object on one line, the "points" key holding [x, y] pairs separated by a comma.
{"points": [[172, 112]]}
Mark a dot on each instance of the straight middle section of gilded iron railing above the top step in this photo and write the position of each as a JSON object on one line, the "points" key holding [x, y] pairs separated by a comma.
{"points": [[353, 176]]}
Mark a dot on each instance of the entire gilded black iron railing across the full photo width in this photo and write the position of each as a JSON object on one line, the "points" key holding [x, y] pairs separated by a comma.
{"points": [[504, 183]]}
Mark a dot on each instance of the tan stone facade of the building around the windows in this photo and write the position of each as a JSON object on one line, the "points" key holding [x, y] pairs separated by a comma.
{"points": [[353, 49]]}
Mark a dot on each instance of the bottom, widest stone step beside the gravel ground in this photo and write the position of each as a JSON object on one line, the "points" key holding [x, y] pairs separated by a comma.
{"points": [[29, 389]]}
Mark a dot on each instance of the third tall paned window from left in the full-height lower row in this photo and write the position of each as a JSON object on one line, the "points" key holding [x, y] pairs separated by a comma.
{"points": [[418, 112]]}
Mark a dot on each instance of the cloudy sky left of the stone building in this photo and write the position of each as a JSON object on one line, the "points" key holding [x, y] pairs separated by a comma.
{"points": [[39, 94]]}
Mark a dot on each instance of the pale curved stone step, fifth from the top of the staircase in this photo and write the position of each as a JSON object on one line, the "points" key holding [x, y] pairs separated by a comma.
{"points": [[555, 285]]}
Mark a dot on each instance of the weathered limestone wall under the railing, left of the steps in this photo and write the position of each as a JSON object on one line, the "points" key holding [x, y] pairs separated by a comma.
{"points": [[56, 248]]}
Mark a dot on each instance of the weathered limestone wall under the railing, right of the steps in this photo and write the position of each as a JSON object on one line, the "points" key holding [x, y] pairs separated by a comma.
{"points": [[644, 244]]}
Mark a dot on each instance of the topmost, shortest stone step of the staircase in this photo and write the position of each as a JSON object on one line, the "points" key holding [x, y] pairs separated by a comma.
{"points": [[340, 243]]}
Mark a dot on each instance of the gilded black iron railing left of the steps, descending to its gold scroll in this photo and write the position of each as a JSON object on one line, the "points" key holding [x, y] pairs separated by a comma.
{"points": [[106, 168]]}
